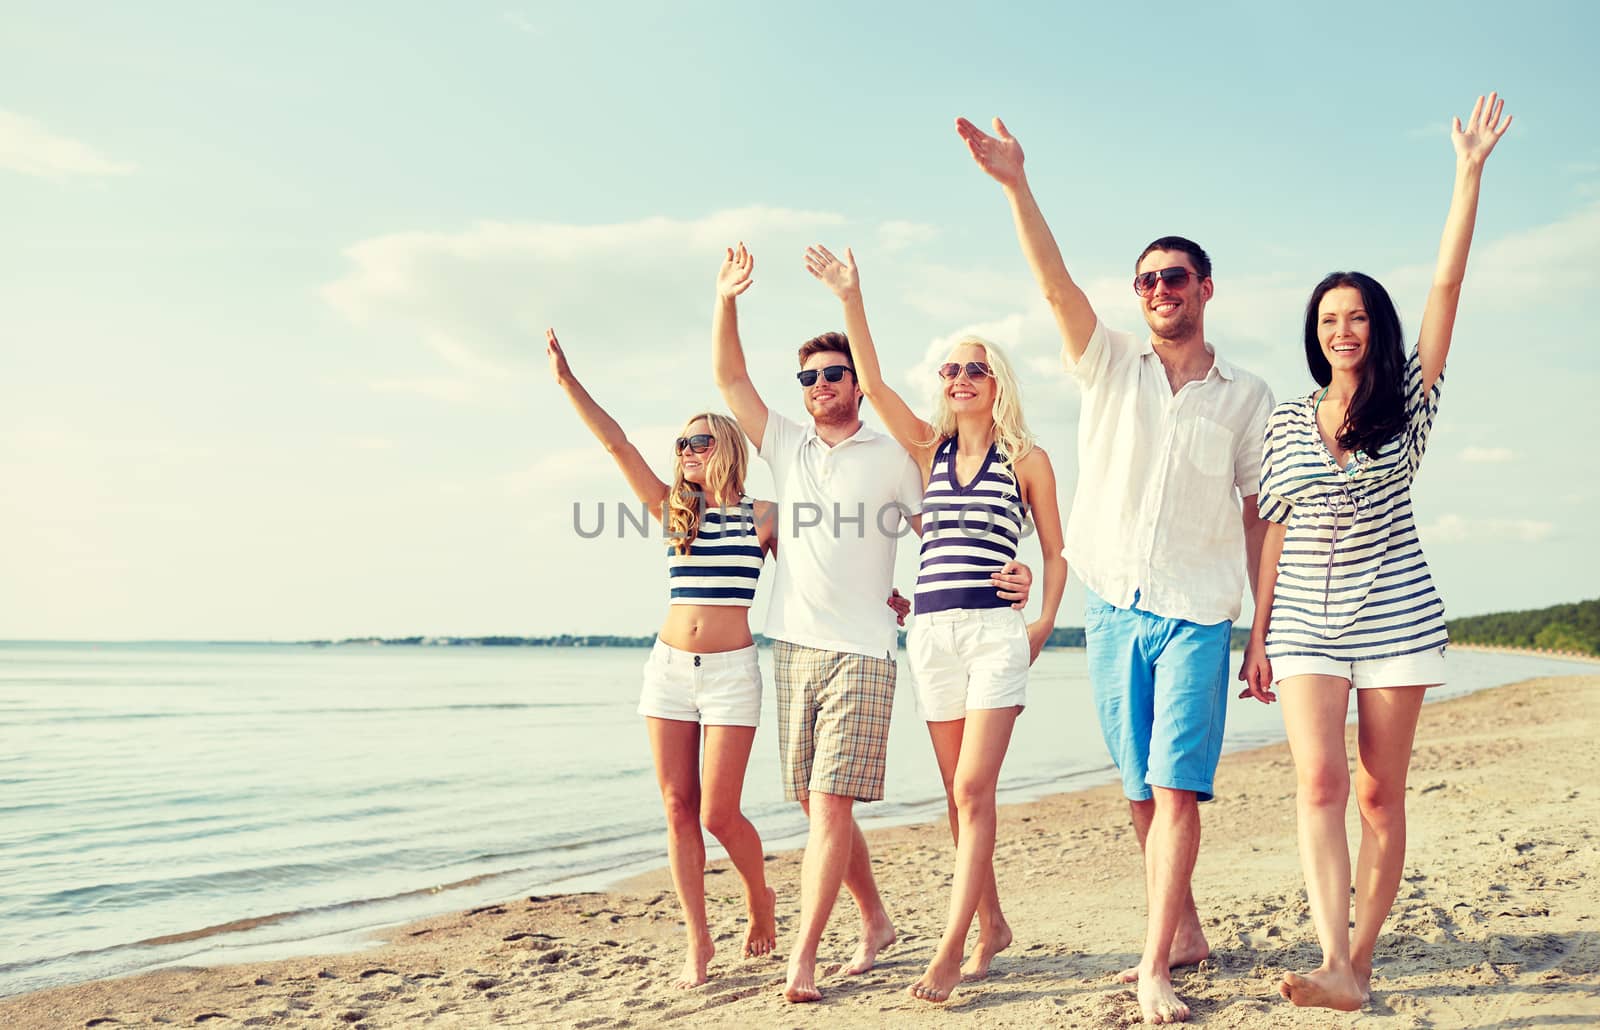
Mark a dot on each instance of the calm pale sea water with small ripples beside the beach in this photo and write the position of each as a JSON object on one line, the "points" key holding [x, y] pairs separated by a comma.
{"points": [[202, 804]]}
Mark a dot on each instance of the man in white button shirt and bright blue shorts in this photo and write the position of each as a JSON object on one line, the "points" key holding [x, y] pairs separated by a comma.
{"points": [[1162, 533]]}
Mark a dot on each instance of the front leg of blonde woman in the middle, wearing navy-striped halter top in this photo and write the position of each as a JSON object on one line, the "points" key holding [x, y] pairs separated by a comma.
{"points": [[985, 741]]}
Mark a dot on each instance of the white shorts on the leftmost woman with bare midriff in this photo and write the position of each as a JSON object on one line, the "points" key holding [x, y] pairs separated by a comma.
{"points": [[716, 690]]}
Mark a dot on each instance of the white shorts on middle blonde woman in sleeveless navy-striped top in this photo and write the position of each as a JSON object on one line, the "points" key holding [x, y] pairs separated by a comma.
{"points": [[969, 658]]}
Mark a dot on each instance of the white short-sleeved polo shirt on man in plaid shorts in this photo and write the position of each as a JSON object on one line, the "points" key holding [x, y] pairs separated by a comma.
{"points": [[841, 513]]}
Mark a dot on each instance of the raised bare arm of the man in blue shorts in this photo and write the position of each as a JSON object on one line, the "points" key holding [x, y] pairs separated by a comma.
{"points": [[1001, 156]]}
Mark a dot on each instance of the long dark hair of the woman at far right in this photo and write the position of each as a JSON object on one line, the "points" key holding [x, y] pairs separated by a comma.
{"points": [[1377, 413]]}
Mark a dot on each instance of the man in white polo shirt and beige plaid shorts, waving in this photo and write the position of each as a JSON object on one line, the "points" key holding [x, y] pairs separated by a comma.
{"points": [[846, 497]]}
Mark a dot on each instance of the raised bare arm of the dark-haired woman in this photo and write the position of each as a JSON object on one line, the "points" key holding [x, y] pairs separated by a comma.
{"points": [[1474, 146]]}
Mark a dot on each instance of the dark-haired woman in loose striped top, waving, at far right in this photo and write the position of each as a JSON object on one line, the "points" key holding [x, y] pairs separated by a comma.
{"points": [[1346, 601]]}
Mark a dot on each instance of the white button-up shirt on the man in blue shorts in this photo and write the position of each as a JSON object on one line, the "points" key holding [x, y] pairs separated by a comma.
{"points": [[1161, 476]]}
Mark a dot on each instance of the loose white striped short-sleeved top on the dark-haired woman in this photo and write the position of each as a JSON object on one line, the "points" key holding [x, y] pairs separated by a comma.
{"points": [[1353, 583]]}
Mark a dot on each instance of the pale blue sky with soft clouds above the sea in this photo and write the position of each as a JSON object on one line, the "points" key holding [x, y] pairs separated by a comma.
{"points": [[274, 279]]}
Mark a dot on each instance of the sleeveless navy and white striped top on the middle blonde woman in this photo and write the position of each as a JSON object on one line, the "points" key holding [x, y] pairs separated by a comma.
{"points": [[967, 533]]}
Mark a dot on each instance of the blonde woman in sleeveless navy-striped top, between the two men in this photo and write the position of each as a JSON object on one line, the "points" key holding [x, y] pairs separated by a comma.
{"points": [[969, 650]]}
